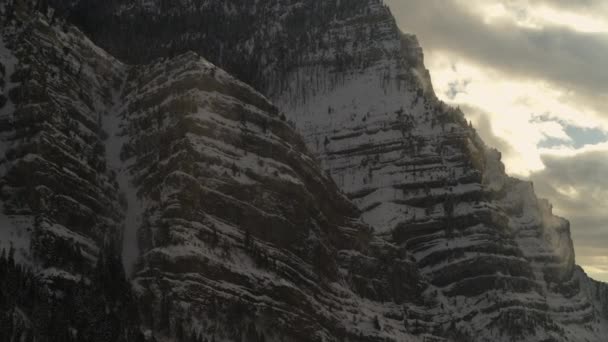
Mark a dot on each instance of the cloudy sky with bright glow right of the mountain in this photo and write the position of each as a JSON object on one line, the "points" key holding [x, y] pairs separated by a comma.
{"points": [[532, 76]]}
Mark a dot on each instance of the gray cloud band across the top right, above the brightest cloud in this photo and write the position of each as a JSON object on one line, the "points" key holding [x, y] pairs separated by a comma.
{"points": [[572, 60]]}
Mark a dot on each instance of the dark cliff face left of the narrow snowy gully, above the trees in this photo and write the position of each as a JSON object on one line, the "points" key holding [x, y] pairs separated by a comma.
{"points": [[54, 176]]}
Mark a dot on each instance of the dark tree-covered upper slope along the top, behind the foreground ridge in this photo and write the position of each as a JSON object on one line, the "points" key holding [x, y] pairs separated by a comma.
{"points": [[259, 42]]}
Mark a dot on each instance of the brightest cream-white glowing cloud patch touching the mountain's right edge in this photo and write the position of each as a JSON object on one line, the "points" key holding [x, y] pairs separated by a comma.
{"points": [[514, 116]]}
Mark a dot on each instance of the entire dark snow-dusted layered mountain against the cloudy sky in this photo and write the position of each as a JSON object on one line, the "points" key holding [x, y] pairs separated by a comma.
{"points": [[346, 204]]}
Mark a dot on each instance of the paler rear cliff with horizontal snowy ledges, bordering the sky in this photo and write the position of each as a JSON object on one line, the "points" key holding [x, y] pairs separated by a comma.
{"points": [[423, 178]]}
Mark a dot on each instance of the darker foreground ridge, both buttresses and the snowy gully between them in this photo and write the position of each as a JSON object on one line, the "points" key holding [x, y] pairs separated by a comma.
{"points": [[238, 227]]}
